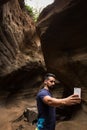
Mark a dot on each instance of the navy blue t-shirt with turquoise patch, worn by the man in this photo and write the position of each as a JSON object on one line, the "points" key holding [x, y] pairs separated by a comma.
{"points": [[46, 113]]}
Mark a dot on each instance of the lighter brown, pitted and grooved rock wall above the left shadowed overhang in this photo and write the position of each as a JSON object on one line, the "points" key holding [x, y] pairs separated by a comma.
{"points": [[19, 42]]}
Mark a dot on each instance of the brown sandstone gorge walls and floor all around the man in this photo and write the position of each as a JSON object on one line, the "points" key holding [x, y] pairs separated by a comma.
{"points": [[55, 43]]}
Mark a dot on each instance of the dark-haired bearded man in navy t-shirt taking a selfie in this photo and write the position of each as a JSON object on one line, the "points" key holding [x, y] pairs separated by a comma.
{"points": [[46, 104]]}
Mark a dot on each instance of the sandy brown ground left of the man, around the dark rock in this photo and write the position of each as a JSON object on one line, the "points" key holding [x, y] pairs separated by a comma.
{"points": [[9, 113]]}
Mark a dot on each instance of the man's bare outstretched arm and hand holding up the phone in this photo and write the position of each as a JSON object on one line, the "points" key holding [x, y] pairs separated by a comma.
{"points": [[71, 100]]}
